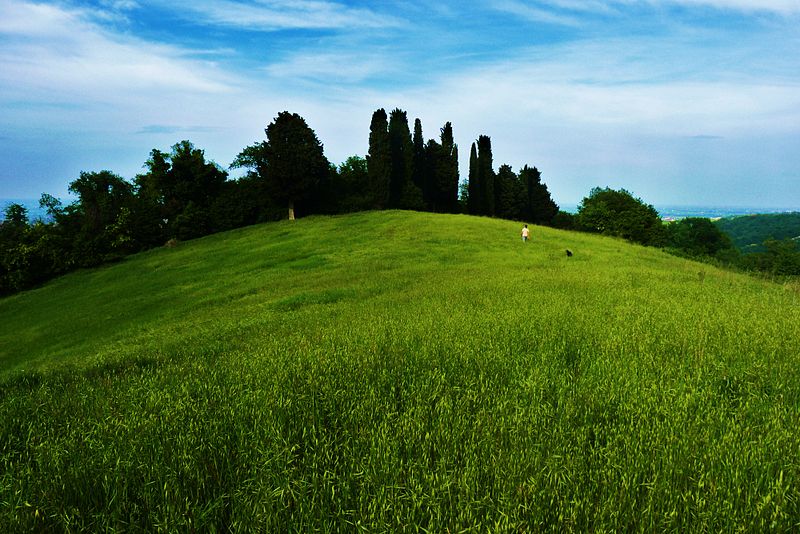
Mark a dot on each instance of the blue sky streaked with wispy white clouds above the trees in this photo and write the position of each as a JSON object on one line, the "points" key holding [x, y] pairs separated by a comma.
{"points": [[693, 102]]}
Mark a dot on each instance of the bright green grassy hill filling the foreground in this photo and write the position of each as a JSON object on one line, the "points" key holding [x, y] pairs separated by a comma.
{"points": [[399, 371]]}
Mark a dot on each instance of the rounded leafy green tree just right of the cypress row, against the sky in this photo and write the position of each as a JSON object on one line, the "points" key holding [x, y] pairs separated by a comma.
{"points": [[618, 213]]}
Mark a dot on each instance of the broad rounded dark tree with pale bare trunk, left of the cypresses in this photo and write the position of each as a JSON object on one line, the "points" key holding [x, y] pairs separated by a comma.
{"points": [[295, 163]]}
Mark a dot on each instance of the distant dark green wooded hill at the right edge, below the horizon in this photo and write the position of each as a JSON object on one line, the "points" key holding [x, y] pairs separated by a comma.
{"points": [[750, 231]]}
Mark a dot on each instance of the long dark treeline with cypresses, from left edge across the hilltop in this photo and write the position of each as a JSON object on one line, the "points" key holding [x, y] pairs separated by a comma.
{"points": [[182, 195]]}
